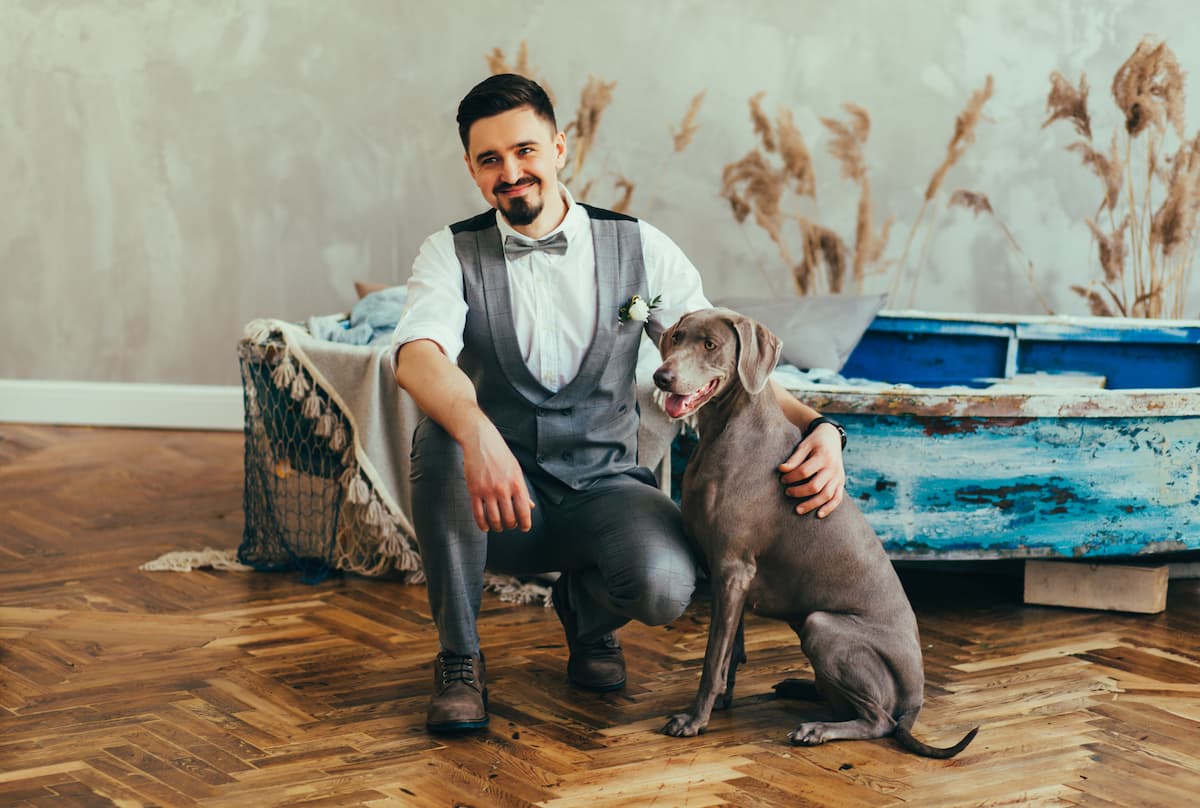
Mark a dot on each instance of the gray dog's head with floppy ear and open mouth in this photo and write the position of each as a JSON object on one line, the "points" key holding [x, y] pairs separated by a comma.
{"points": [[707, 352]]}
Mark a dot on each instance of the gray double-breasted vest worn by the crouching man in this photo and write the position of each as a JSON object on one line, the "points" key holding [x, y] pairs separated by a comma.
{"points": [[589, 429]]}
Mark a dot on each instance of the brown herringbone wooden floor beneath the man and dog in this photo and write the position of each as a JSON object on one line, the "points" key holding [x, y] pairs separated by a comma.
{"points": [[129, 689]]}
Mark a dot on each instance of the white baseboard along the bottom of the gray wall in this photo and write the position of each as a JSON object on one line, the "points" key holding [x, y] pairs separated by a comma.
{"points": [[107, 404]]}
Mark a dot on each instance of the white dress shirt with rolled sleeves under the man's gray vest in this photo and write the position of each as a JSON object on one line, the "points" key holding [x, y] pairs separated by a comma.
{"points": [[555, 298]]}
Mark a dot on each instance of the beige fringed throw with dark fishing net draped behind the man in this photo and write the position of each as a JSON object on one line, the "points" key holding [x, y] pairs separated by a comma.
{"points": [[328, 439]]}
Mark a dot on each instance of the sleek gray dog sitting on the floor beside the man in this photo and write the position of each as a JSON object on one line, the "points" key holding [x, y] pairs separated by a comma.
{"points": [[830, 579]]}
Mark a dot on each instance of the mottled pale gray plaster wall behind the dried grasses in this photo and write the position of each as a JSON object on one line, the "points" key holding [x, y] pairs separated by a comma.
{"points": [[176, 169]]}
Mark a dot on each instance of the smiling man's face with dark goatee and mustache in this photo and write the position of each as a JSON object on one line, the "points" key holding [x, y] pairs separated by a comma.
{"points": [[514, 159]]}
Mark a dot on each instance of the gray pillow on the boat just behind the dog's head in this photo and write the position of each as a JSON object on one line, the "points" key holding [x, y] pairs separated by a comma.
{"points": [[817, 331]]}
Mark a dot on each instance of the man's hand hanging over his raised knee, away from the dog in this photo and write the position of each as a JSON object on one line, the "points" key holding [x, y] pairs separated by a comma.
{"points": [[496, 483]]}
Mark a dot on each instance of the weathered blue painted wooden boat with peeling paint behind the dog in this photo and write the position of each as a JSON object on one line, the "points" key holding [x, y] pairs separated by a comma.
{"points": [[1022, 438]]}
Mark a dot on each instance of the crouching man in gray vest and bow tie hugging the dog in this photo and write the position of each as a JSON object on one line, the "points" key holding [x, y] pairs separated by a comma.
{"points": [[518, 346]]}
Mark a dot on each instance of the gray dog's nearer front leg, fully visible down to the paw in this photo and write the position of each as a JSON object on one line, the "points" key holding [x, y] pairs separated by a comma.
{"points": [[730, 585]]}
